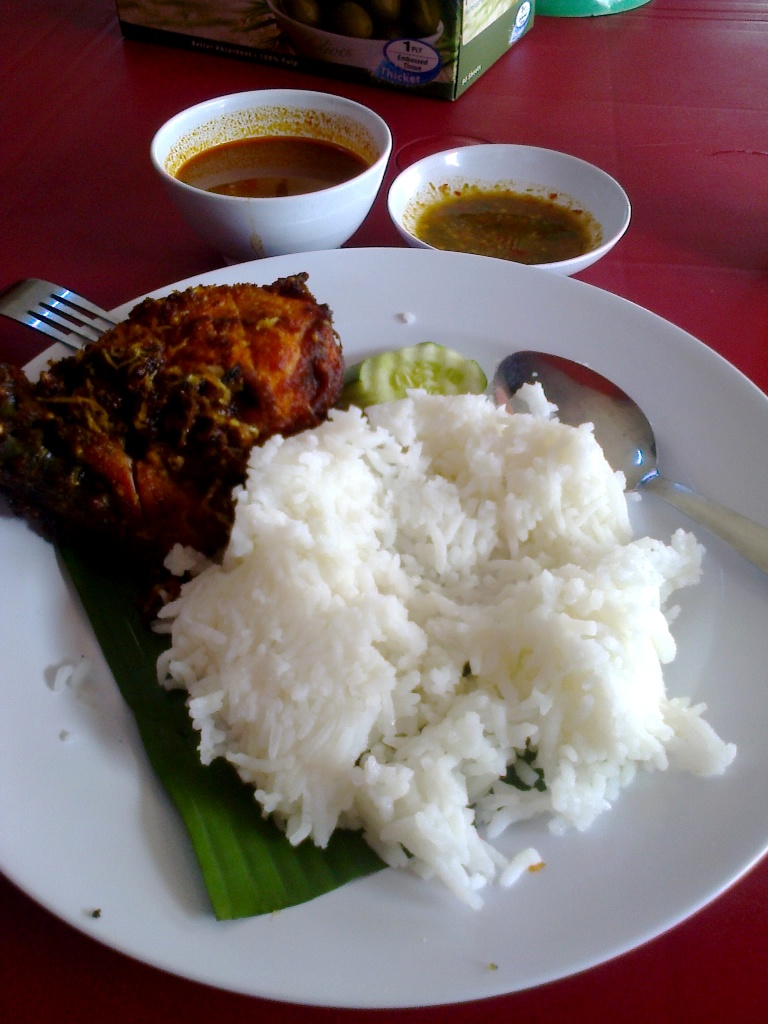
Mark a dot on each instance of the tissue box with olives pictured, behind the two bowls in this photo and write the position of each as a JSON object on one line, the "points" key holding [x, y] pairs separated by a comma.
{"points": [[428, 48]]}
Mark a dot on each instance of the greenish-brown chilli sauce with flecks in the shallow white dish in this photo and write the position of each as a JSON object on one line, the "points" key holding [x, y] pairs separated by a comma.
{"points": [[499, 223]]}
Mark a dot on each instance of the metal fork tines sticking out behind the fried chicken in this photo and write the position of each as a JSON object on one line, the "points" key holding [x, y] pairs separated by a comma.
{"points": [[57, 312]]}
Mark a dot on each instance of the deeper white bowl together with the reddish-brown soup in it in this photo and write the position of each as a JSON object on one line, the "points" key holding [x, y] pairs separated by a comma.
{"points": [[274, 172]]}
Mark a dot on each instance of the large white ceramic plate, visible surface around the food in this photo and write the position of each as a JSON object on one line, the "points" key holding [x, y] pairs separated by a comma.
{"points": [[86, 827]]}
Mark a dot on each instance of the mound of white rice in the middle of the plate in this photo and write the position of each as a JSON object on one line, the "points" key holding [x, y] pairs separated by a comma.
{"points": [[411, 598]]}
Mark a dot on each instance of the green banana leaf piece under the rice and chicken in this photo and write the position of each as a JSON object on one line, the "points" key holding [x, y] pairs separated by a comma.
{"points": [[248, 866]]}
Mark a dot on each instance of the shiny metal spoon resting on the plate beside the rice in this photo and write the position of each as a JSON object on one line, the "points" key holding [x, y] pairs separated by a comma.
{"points": [[627, 439]]}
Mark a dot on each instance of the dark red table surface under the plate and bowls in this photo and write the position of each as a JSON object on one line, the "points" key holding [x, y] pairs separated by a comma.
{"points": [[672, 99]]}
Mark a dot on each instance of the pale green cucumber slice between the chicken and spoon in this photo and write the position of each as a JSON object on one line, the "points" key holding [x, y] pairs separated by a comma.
{"points": [[429, 366]]}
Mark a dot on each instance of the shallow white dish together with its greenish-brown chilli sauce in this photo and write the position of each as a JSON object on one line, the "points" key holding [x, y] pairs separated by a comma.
{"points": [[520, 203]]}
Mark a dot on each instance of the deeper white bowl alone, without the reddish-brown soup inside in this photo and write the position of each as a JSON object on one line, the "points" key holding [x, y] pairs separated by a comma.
{"points": [[243, 228]]}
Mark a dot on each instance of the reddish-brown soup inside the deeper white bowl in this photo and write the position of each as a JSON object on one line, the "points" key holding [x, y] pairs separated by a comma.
{"points": [[271, 166]]}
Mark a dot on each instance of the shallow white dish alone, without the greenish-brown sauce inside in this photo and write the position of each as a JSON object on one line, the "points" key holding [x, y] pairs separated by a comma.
{"points": [[522, 169]]}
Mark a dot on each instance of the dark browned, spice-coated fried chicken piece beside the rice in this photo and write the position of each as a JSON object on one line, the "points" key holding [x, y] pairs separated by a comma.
{"points": [[141, 438]]}
